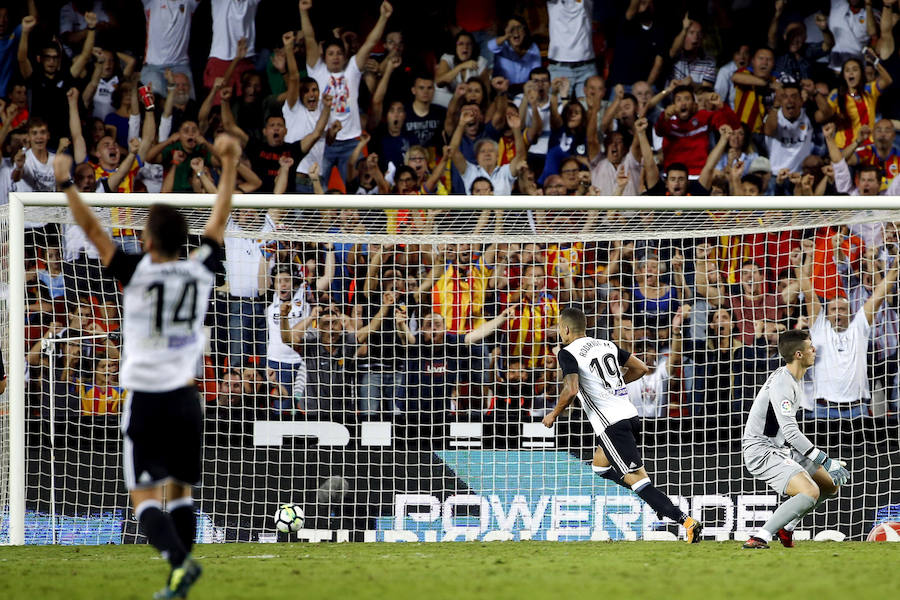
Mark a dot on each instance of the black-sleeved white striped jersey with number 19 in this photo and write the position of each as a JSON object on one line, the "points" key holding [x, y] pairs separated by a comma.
{"points": [[601, 380]]}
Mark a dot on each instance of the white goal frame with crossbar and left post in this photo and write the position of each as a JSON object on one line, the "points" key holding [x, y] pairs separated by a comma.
{"points": [[671, 218]]}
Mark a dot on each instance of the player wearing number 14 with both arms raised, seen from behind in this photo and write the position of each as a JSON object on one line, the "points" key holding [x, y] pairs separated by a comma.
{"points": [[165, 299]]}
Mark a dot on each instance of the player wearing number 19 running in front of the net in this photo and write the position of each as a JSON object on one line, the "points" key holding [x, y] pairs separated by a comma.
{"points": [[597, 371]]}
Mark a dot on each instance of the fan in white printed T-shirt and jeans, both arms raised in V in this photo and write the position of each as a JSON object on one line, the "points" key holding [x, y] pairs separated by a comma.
{"points": [[340, 79]]}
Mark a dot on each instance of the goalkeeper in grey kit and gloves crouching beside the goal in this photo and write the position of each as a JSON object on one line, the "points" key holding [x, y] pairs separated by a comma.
{"points": [[777, 452]]}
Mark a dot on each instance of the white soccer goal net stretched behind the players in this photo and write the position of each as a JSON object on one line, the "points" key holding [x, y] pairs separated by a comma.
{"points": [[386, 365]]}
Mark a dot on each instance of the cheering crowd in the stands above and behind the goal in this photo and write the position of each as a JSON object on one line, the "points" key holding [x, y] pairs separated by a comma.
{"points": [[563, 97]]}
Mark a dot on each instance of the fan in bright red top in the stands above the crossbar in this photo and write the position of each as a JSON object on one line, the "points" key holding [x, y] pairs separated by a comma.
{"points": [[685, 130]]}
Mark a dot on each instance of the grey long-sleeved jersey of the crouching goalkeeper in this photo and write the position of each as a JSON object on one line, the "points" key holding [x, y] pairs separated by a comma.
{"points": [[772, 417]]}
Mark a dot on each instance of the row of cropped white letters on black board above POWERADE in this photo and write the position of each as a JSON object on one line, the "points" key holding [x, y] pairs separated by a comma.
{"points": [[382, 434]]}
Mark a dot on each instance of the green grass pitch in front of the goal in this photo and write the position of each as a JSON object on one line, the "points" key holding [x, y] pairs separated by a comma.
{"points": [[463, 570]]}
